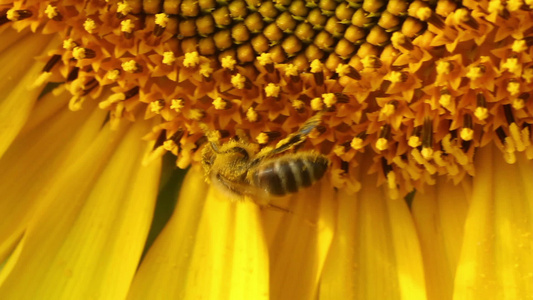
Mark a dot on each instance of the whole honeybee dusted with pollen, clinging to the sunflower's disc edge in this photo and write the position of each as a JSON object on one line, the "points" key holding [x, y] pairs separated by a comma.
{"points": [[238, 168]]}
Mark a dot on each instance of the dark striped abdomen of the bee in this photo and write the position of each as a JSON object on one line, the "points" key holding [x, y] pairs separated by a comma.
{"points": [[289, 173]]}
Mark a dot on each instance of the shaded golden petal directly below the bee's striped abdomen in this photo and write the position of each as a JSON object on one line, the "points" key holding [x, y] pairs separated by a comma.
{"points": [[299, 241]]}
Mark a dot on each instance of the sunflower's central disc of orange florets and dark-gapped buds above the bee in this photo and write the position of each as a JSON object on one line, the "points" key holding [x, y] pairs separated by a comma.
{"points": [[417, 85]]}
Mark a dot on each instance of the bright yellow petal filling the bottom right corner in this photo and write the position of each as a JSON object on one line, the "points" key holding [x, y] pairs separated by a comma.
{"points": [[496, 259]]}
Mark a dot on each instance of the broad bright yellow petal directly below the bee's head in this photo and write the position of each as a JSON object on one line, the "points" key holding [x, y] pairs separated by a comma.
{"points": [[212, 248]]}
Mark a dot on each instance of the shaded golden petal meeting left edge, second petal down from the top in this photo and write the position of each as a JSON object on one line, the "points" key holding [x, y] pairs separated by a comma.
{"points": [[32, 162]]}
